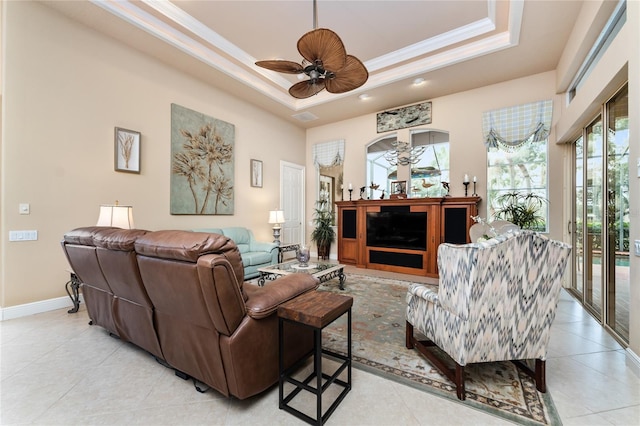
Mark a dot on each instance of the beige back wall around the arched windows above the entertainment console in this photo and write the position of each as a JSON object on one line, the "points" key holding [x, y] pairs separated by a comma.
{"points": [[461, 116]]}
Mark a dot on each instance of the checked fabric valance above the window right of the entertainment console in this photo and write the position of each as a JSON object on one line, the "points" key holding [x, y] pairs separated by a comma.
{"points": [[510, 128]]}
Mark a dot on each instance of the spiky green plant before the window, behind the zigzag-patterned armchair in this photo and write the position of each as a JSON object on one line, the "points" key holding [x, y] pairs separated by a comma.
{"points": [[521, 209]]}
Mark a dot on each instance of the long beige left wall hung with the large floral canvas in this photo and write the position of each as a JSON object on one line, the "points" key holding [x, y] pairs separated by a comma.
{"points": [[66, 88]]}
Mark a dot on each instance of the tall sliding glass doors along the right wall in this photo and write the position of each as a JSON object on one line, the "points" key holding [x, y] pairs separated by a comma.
{"points": [[601, 216]]}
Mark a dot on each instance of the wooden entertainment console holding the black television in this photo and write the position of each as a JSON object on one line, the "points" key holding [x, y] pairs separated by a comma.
{"points": [[402, 235]]}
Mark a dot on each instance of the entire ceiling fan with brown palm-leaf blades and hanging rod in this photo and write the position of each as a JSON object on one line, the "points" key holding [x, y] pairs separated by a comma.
{"points": [[326, 62]]}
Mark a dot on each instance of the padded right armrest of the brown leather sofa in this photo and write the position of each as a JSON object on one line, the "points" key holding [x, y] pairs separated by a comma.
{"points": [[264, 301]]}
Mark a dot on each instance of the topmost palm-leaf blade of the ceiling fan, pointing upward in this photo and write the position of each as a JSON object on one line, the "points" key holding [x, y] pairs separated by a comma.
{"points": [[325, 45]]}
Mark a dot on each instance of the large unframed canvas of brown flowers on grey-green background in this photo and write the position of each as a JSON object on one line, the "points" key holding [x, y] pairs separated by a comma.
{"points": [[202, 175]]}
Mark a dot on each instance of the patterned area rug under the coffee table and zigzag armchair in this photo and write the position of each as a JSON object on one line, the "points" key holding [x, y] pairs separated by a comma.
{"points": [[378, 335]]}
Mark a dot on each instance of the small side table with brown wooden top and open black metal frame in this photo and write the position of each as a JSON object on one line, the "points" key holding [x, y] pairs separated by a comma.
{"points": [[316, 310]]}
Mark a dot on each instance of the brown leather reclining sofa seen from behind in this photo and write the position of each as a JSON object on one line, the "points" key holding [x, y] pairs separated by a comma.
{"points": [[181, 296]]}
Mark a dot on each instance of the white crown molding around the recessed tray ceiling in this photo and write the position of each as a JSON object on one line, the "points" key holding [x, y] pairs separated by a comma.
{"points": [[274, 86]]}
